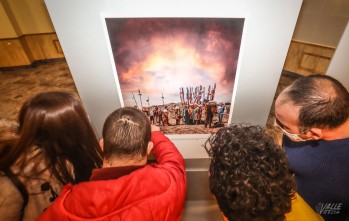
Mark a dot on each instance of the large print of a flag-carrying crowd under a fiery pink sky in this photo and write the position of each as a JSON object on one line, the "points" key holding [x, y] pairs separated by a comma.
{"points": [[179, 71]]}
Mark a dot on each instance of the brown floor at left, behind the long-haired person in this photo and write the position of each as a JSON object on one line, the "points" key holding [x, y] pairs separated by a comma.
{"points": [[18, 84]]}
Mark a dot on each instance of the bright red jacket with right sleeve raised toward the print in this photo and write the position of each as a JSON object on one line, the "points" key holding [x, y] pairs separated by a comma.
{"points": [[154, 192]]}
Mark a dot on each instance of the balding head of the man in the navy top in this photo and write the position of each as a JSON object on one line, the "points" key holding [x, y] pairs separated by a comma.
{"points": [[310, 105]]}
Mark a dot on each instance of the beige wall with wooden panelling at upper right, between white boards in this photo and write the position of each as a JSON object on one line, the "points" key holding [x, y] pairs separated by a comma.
{"points": [[318, 31]]}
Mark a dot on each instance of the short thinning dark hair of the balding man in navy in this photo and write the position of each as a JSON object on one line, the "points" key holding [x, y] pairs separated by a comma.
{"points": [[323, 101]]}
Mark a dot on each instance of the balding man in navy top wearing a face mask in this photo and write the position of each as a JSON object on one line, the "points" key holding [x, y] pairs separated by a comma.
{"points": [[313, 116]]}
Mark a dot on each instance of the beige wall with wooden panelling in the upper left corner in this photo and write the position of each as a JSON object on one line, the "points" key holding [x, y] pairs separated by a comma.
{"points": [[26, 33]]}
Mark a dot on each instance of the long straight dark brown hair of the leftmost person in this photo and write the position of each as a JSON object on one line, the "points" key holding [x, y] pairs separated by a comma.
{"points": [[57, 124]]}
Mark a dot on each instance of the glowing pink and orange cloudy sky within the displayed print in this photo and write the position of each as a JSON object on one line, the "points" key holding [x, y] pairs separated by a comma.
{"points": [[158, 56]]}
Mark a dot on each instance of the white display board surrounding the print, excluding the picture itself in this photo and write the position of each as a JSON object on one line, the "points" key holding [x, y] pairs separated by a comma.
{"points": [[268, 30]]}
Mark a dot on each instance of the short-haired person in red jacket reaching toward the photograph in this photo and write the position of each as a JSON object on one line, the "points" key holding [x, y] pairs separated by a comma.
{"points": [[127, 188]]}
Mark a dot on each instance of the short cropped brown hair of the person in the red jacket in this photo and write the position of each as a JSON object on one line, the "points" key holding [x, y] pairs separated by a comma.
{"points": [[126, 134]]}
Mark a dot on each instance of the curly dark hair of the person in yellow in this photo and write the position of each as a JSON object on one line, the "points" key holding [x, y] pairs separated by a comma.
{"points": [[249, 174]]}
